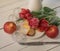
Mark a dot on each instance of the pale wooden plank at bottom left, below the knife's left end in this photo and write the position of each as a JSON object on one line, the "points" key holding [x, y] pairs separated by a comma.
{"points": [[13, 47]]}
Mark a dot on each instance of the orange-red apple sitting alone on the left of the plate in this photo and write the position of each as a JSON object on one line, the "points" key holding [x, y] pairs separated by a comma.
{"points": [[9, 27]]}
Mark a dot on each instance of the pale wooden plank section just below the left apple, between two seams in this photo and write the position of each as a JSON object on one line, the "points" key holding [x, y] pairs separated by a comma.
{"points": [[5, 39]]}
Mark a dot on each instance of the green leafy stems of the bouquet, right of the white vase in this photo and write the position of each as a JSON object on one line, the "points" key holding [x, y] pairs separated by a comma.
{"points": [[49, 14]]}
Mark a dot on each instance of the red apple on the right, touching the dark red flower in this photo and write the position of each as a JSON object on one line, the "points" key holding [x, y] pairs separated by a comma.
{"points": [[52, 31]]}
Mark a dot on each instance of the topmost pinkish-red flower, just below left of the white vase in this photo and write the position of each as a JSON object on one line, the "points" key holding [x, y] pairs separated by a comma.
{"points": [[25, 14]]}
